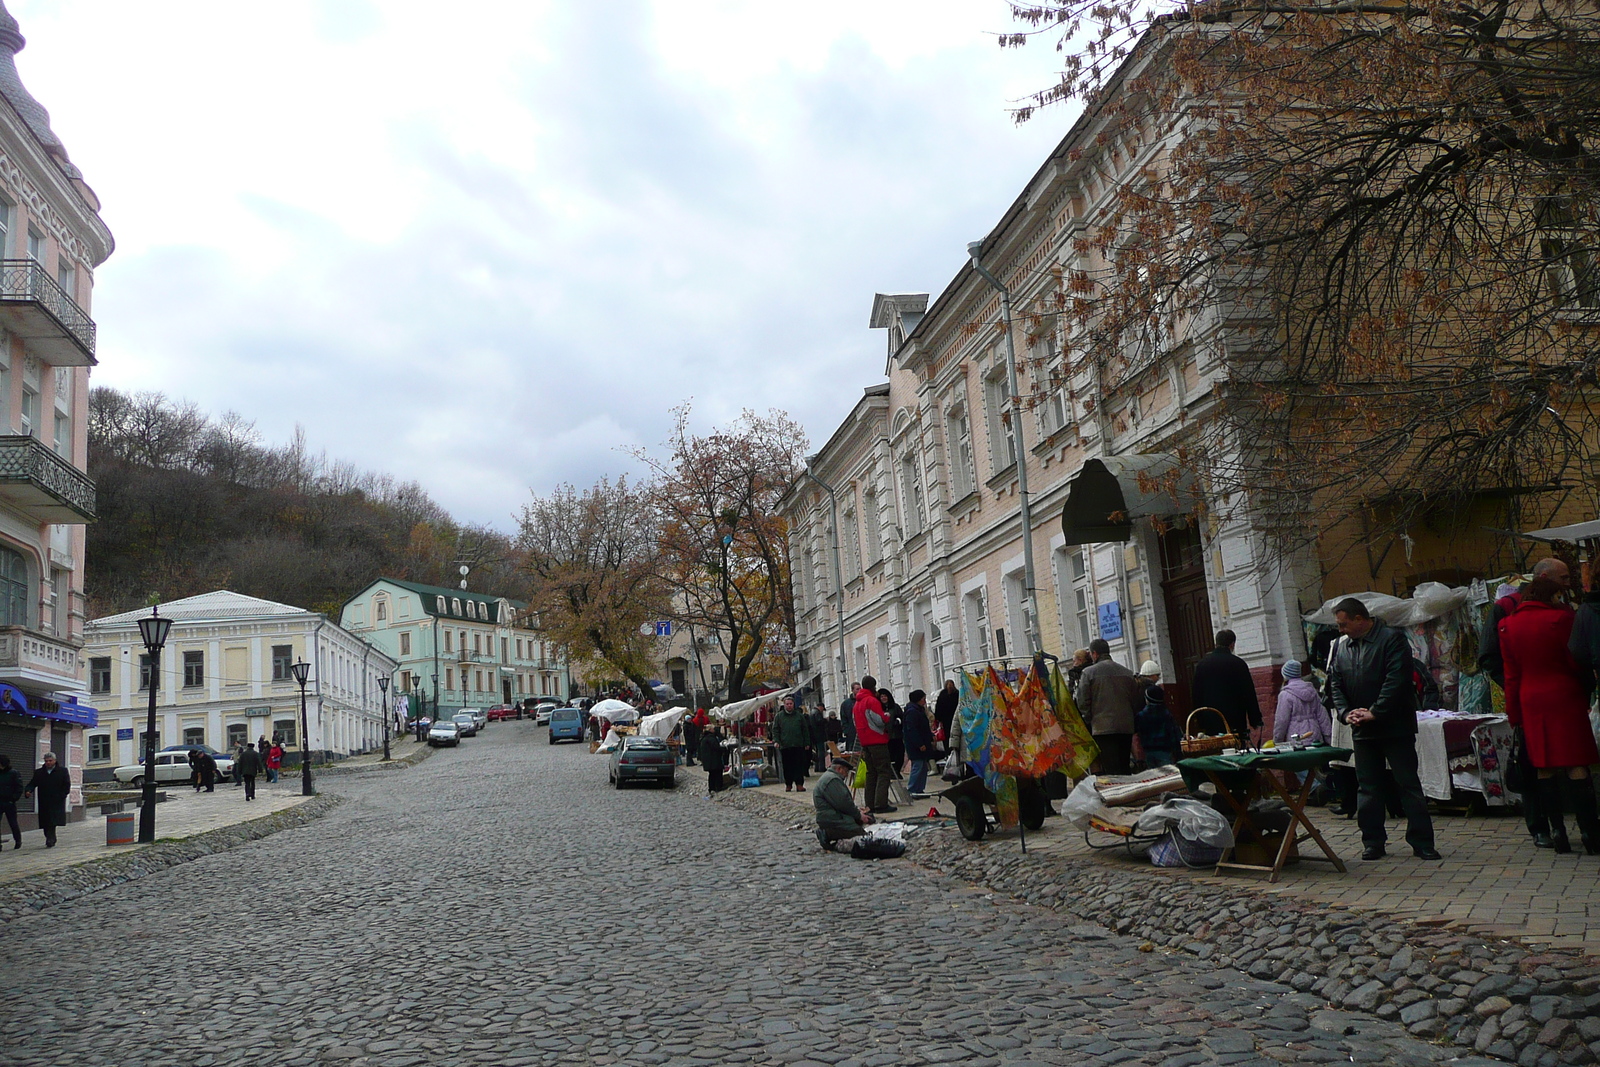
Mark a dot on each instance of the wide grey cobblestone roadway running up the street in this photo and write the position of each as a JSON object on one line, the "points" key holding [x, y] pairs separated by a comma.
{"points": [[502, 905]]}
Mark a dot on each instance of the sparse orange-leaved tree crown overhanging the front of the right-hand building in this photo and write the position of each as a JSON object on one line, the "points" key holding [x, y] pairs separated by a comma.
{"points": [[1388, 210]]}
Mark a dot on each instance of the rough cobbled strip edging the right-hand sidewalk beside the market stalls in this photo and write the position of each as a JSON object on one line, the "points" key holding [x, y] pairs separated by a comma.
{"points": [[1436, 983]]}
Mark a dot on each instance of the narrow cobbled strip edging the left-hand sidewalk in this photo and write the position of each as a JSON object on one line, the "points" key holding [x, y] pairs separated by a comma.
{"points": [[66, 884]]}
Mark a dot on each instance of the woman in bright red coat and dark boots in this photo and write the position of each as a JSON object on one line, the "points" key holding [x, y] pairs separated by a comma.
{"points": [[1548, 703]]}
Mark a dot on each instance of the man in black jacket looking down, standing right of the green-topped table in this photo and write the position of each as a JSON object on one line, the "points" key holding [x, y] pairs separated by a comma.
{"points": [[1374, 692]]}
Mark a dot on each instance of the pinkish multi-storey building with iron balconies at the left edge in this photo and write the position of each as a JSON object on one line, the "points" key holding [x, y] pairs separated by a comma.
{"points": [[52, 239]]}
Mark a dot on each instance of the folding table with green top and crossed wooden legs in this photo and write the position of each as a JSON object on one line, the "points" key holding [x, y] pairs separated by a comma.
{"points": [[1247, 777]]}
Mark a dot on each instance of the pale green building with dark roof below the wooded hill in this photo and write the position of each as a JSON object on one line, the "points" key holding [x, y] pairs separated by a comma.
{"points": [[458, 649]]}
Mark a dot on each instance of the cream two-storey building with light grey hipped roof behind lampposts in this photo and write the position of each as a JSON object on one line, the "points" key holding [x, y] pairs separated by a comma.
{"points": [[226, 679]]}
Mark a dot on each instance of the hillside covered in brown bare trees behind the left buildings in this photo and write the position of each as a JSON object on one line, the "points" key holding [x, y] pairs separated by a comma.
{"points": [[190, 503]]}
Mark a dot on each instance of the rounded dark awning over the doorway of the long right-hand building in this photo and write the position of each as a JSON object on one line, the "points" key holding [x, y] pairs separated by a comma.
{"points": [[1105, 498]]}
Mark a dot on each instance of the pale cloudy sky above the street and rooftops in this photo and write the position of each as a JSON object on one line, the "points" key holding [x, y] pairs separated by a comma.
{"points": [[490, 244]]}
